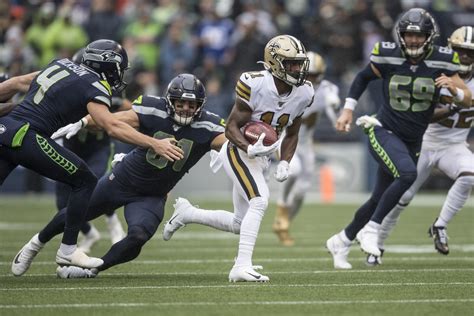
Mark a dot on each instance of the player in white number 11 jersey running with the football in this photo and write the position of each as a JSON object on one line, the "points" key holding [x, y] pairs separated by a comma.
{"points": [[278, 96]]}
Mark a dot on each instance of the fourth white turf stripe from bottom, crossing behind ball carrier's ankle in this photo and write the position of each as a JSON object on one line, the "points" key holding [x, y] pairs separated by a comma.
{"points": [[271, 260]]}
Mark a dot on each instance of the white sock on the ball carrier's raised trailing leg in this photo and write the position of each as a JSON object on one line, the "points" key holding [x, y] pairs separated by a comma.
{"points": [[222, 220]]}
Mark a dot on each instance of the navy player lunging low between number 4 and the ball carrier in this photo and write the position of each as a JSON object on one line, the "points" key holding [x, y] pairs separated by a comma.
{"points": [[143, 179]]}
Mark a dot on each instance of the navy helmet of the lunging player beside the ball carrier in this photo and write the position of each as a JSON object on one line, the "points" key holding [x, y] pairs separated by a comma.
{"points": [[185, 87]]}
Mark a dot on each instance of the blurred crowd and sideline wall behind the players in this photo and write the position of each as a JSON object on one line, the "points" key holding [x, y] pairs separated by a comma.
{"points": [[217, 40]]}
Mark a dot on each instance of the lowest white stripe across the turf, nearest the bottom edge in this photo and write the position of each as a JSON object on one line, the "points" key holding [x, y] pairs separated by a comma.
{"points": [[416, 301]]}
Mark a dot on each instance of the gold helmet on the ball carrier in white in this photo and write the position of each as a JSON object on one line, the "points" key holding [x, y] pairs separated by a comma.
{"points": [[282, 49]]}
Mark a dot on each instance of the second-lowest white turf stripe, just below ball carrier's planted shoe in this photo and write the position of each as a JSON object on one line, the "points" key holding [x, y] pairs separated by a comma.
{"points": [[157, 287]]}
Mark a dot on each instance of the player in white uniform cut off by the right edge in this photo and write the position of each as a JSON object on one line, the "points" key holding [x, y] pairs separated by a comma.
{"points": [[444, 146]]}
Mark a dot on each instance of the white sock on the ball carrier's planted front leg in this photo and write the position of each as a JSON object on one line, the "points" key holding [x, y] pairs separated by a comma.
{"points": [[248, 236]]}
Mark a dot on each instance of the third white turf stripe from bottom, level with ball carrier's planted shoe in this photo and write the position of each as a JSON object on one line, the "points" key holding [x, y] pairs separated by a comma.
{"points": [[270, 272]]}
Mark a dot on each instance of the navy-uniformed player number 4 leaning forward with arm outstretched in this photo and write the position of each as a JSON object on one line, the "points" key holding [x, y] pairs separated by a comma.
{"points": [[62, 93]]}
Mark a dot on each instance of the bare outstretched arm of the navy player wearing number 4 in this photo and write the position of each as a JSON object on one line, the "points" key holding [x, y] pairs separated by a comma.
{"points": [[126, 133]]}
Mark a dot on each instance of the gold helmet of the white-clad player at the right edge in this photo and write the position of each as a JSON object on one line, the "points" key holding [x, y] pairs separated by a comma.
{"points": [[463, 39]]}
